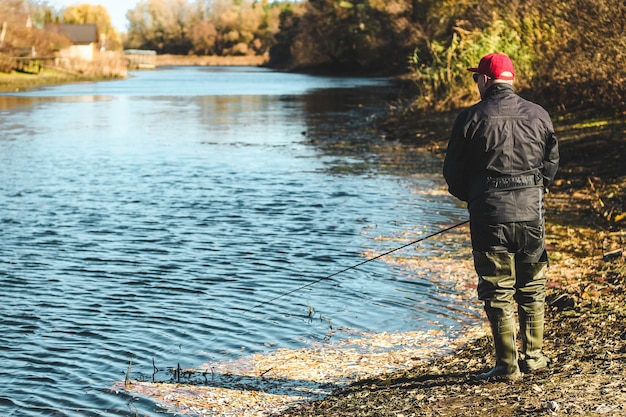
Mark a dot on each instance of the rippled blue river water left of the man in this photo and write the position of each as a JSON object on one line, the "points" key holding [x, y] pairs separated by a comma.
{"points": [[142, 220]]}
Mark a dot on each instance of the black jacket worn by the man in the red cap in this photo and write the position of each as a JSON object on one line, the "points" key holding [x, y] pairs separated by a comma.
{"points": [[502, 153]]}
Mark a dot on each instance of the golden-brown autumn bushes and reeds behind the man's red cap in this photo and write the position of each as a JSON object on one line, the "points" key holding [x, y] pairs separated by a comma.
{"points": [[554, 45]]}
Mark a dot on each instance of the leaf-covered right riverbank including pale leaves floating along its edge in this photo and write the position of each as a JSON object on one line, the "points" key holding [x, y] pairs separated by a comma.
{"points": [[585, 334]]}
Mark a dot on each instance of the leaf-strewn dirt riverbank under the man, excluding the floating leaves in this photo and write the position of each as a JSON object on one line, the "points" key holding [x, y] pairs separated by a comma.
{"points": [[585, 333]]}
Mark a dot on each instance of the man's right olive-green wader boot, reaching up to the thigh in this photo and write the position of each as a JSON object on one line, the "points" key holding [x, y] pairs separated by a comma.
{"points": [[531, 302]]}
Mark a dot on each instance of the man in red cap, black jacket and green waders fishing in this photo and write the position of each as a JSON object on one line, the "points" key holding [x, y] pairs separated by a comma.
{"points": [[502, 155]]}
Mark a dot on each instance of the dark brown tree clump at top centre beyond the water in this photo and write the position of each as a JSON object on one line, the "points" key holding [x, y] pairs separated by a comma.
{"points": [[354, 36]]}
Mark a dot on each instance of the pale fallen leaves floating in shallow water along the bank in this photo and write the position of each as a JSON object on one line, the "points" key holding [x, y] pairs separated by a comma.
{"points": [[273, 382]]}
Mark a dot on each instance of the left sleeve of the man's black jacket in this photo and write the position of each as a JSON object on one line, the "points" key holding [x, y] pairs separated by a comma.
{"points": [[455, 165]]}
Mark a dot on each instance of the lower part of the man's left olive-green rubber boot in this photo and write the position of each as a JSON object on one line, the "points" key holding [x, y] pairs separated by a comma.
{"points": [[503, 329]]}
